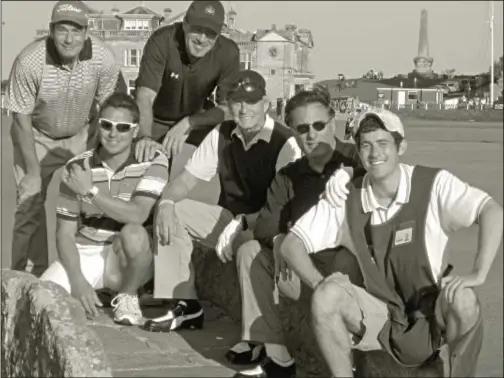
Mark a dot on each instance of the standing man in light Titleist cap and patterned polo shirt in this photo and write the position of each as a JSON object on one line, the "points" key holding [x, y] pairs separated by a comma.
{"points": [[53, 85]]}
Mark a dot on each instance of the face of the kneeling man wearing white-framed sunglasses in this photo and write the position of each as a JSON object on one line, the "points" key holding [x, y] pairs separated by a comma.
{"points": [[113, 141]]}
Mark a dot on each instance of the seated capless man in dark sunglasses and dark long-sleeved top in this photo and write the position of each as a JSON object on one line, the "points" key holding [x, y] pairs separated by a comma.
{"points": [[262, 272]]}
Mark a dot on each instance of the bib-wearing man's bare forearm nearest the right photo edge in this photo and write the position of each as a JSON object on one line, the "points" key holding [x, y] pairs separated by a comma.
{"points": [[489, 238]]}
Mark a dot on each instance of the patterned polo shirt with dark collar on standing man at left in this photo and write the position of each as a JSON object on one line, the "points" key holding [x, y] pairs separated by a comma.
{"points": [[57, 97]]}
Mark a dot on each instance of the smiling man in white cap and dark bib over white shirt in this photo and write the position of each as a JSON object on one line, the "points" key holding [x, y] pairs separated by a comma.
{"points": [[399, 218]]}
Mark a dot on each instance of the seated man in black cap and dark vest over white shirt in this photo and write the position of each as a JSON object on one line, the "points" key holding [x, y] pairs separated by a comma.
{"points": [[245, 153]]}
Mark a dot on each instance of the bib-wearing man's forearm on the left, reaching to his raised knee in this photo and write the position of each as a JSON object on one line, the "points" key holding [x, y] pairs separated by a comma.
{"points": [[297, 258]]}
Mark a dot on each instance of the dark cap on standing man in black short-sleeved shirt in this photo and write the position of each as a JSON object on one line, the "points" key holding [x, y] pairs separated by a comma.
{"points": [[206, 14]]}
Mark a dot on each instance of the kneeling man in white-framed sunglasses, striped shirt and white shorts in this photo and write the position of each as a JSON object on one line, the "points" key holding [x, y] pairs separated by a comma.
{"points": [[104, 215]]}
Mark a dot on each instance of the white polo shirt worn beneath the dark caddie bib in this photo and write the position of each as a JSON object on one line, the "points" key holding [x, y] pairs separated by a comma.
{"points": [[453, 205]]}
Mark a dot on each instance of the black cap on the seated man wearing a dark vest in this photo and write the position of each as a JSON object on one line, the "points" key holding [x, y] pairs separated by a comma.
{"points": [[247, 85]]}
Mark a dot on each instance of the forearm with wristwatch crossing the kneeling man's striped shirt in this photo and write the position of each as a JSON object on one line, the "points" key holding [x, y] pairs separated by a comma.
{"points": [[121, 211]]}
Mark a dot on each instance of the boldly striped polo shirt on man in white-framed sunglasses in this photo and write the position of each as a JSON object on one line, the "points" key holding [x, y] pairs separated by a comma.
{"points": [[132, 179]]}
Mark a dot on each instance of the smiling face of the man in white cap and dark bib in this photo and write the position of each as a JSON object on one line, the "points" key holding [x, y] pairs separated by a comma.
{"points": [[379, 153]]}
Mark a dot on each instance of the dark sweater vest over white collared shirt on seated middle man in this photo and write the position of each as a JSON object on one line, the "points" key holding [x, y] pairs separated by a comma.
{"points": [[246, 175]]}
